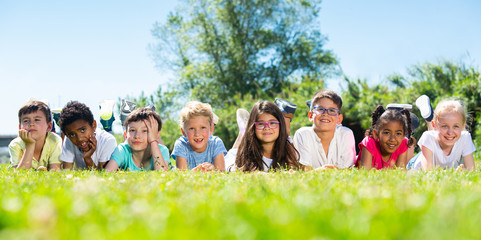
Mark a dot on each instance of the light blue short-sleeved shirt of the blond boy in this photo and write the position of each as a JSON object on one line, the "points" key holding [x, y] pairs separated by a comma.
{"points": [[182, 148]]}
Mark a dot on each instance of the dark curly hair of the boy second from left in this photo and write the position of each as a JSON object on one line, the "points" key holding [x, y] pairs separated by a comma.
{"points": [[74, 111]]}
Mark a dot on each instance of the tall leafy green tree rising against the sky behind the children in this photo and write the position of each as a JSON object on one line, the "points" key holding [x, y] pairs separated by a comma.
{"points": [[219, 49]]}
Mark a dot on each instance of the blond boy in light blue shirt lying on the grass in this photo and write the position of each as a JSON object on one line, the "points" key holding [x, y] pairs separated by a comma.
{"points": [[197, 149]]}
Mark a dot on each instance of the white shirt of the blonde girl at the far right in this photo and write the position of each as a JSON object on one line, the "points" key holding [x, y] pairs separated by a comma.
{"points": [[463, 147]]}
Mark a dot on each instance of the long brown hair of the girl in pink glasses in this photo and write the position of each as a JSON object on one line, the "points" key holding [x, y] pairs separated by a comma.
{"points": [[249, 156]]}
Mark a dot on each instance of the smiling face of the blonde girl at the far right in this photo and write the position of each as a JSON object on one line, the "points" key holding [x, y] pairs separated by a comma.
{"points": [[449, 126]]}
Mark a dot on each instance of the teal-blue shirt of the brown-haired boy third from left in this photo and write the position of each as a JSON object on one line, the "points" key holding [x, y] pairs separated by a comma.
{"points": [[123, 156]]}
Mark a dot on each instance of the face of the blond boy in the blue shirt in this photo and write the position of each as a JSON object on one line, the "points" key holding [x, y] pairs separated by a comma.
{"points": [[197, 131]]}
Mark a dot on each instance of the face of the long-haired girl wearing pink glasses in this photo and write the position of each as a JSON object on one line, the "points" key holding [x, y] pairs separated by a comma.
{"points": [[270, 132]]}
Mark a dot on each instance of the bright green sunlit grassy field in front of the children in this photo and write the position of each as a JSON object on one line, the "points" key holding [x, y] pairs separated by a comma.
{"points": [[348, 204]]}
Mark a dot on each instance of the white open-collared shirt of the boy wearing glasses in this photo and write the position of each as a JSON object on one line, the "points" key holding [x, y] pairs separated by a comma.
{"points": [[342, 149]]}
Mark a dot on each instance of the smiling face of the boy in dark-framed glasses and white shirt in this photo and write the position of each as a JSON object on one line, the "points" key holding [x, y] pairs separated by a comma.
{"points": [[323, 121]]}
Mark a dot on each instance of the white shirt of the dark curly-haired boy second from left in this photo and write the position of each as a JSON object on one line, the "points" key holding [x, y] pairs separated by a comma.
{"points": [[106, 145]]}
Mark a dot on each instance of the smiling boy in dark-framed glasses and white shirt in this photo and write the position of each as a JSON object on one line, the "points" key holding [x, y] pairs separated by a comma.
{"points": [[327, 144]]}
